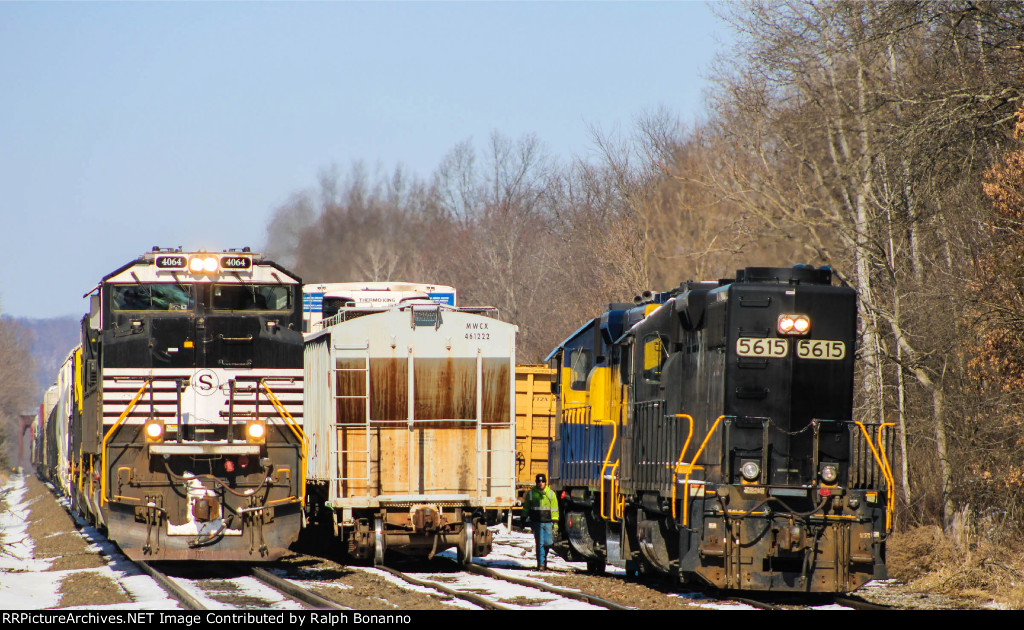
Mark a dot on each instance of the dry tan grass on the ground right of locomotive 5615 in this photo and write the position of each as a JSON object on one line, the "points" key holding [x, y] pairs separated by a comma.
{"points": [[968, 563]]}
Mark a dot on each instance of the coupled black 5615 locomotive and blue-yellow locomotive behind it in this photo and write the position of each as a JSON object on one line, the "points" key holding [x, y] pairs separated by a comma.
{"points": [[708, 434]]}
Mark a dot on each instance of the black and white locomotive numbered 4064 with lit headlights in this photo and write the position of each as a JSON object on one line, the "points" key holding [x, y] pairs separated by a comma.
{"points": [[182, 435]]}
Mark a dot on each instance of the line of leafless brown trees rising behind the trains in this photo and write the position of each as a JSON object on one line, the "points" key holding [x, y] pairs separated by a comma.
{"points": [[885, 140]]}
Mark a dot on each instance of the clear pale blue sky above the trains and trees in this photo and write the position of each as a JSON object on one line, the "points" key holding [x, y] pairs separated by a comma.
{"points": [[130, 125]]}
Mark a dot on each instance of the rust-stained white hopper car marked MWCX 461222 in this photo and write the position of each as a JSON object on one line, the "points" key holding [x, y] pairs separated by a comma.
{"points": [[410, 417]]}
